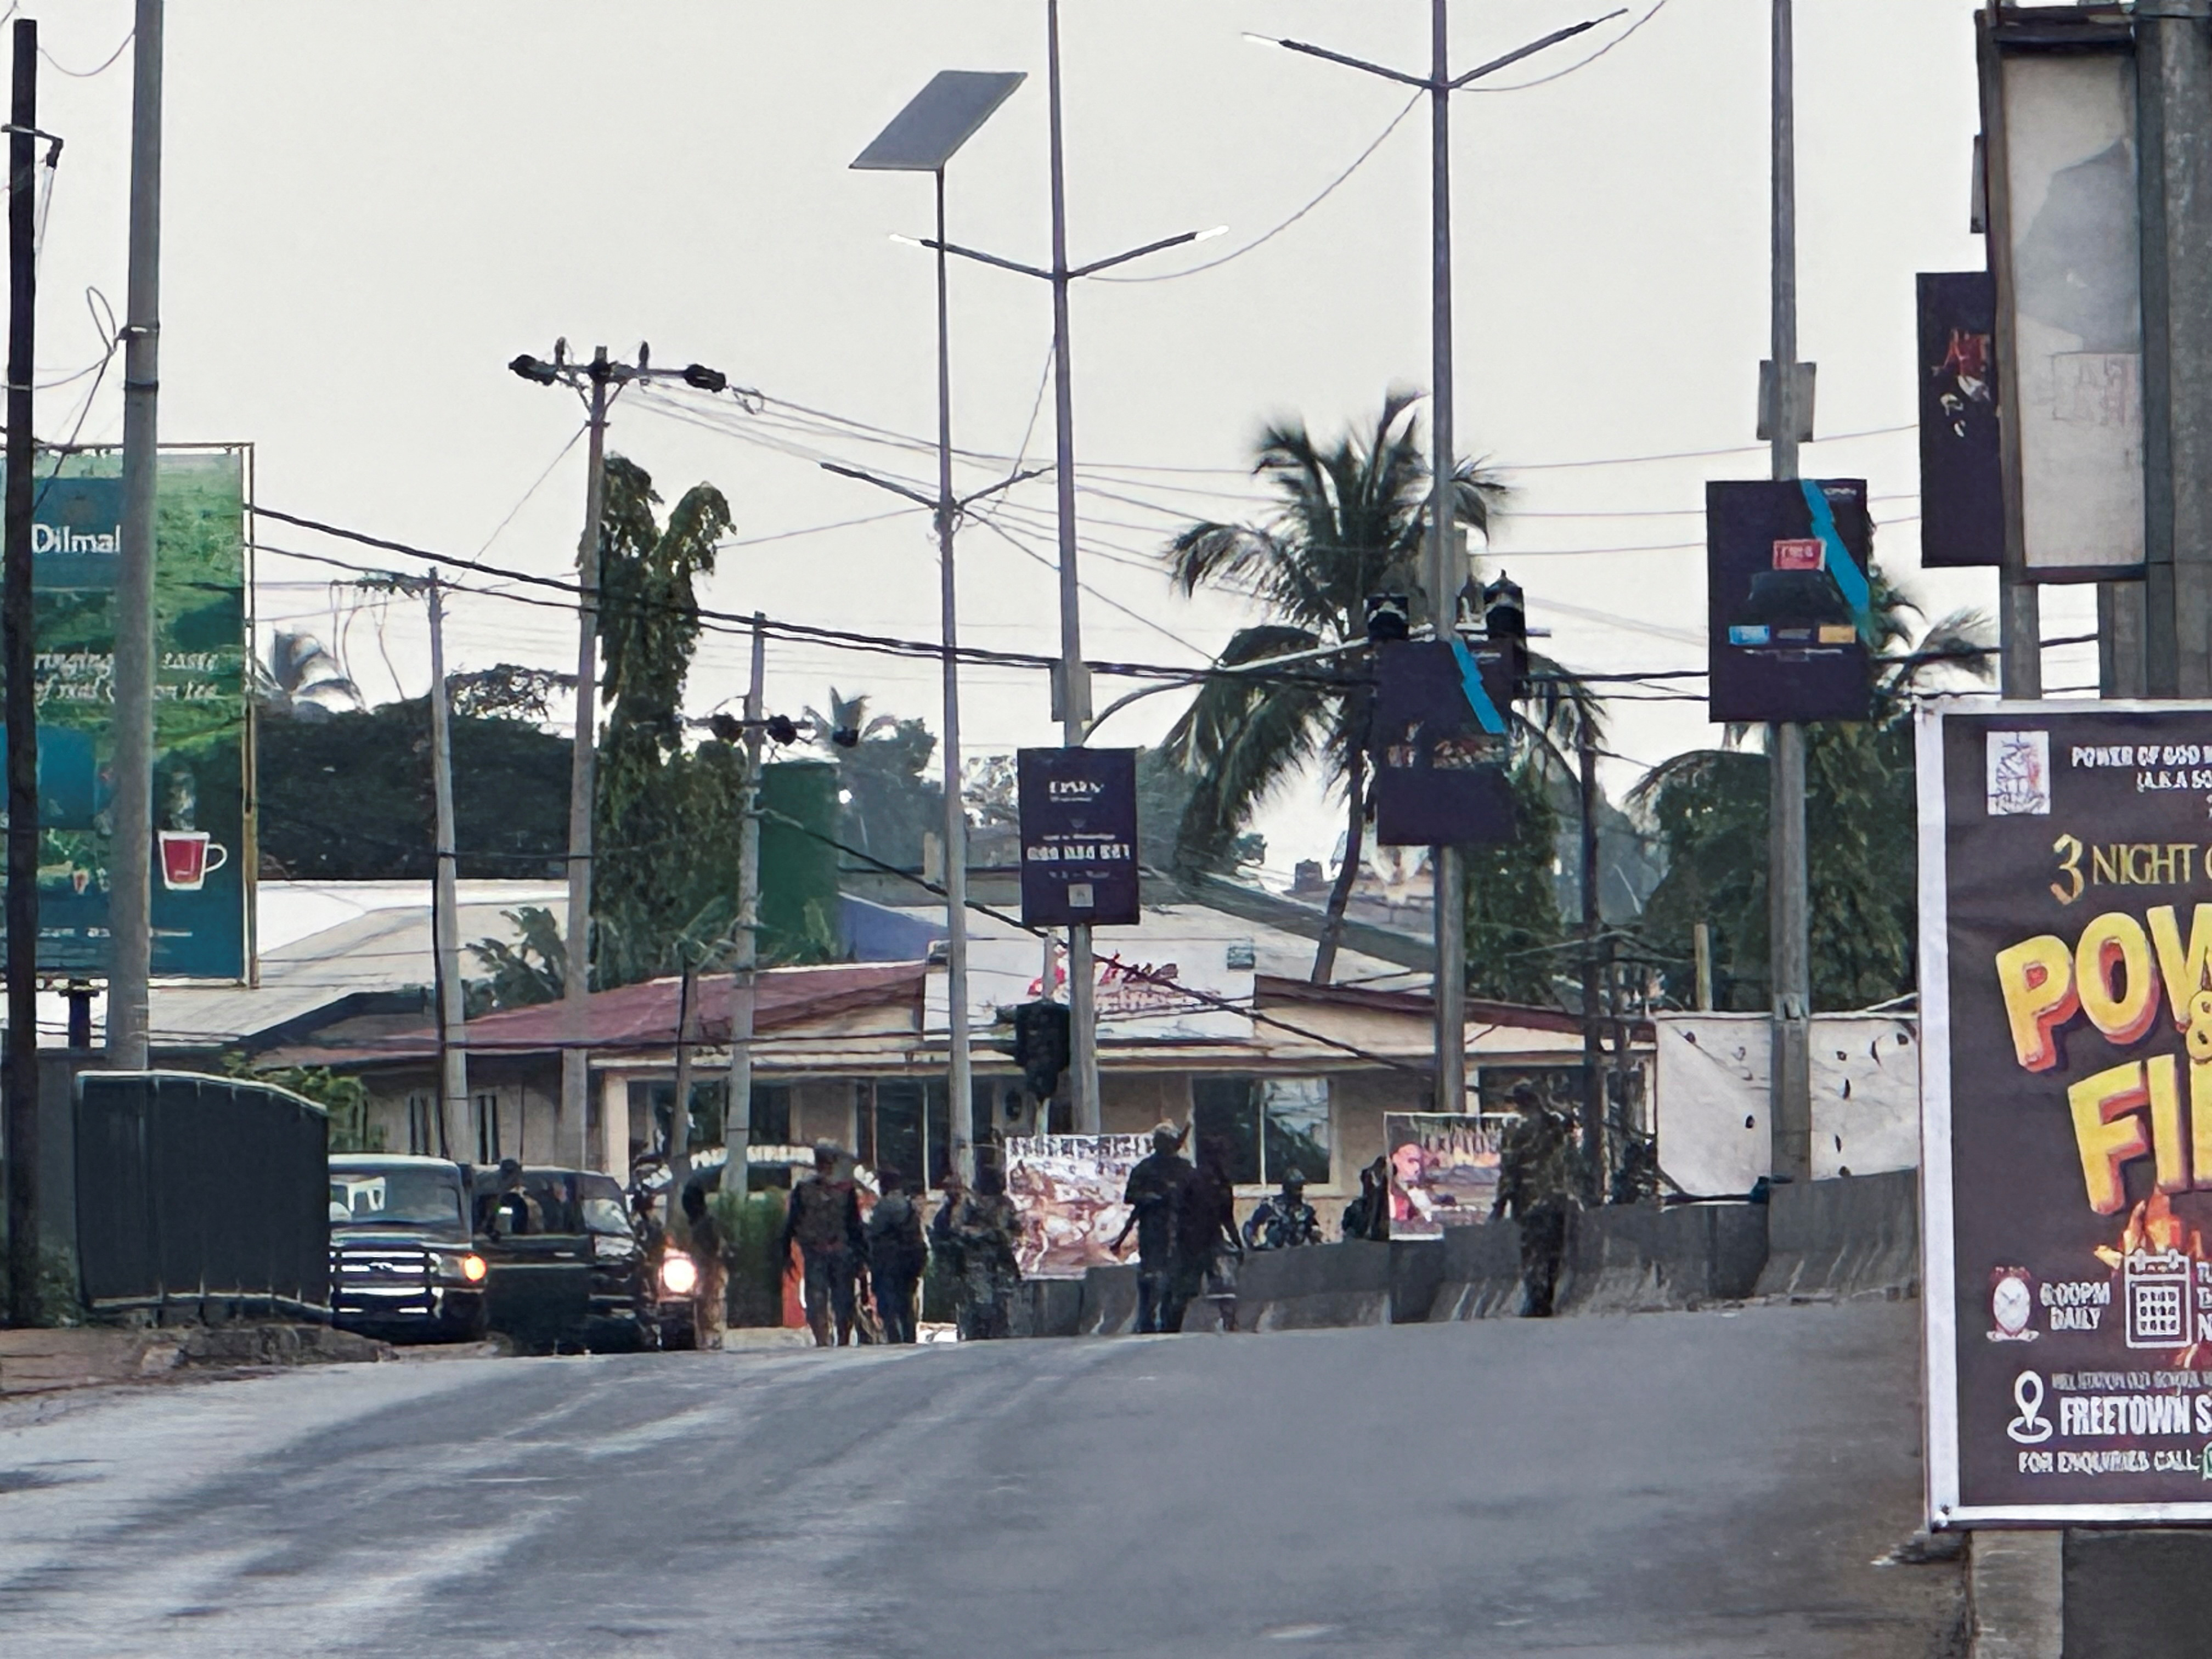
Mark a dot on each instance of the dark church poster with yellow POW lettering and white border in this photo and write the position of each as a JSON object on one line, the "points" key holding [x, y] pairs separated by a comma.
{"points": [[2067, 1112]]}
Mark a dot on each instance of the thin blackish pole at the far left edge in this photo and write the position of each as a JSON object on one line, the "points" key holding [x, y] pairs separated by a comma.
{"points": [[19, 649]]}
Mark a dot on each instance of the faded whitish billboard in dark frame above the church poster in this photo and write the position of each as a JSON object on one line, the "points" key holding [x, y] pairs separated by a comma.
{"points": [[2065, 249]]}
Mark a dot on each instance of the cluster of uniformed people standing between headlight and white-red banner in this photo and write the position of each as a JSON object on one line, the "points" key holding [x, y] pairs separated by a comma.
{"points": [[972, 1240]]}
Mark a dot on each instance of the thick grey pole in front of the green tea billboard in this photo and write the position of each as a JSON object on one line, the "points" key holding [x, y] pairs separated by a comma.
{"points": [[132, 848]]}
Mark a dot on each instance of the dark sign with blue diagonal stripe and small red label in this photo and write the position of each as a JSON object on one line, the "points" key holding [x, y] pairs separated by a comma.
{"points": [[1788, 605]]}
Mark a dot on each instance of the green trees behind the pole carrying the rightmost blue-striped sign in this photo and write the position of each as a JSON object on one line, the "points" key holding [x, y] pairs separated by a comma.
{"points": [[1709, 811]]}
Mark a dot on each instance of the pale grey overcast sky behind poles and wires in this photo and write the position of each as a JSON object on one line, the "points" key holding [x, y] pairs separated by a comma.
{"points": [[373, 209]]}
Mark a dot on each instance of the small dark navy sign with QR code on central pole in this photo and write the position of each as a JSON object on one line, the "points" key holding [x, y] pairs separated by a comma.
{"points": [[1078, 837]]}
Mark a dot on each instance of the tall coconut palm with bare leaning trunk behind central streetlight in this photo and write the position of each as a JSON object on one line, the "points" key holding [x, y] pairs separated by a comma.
{"points": [[1350, 521]]}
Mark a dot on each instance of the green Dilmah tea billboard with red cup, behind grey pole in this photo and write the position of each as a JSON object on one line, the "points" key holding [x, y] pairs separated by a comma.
{"points": [[202, 859]]}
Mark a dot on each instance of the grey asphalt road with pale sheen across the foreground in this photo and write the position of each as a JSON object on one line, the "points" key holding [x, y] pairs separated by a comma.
{"points": [[1676, 1485]]}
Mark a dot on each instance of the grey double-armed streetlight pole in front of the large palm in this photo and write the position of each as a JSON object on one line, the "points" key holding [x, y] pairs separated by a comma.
{"points": [[1446, 572]]}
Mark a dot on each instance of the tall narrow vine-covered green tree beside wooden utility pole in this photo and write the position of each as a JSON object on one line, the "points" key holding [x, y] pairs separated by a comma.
{"points": [[667, 817]]}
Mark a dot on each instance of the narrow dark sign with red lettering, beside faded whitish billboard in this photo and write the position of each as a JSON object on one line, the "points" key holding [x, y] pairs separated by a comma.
{"points": [[1961, 461]]}
